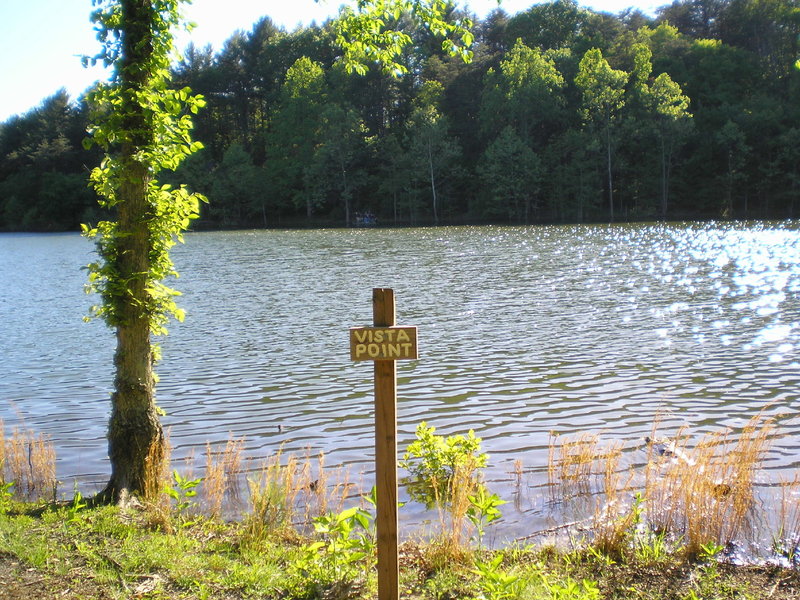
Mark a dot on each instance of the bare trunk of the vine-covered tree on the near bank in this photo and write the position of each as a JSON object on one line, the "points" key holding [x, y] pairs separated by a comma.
{"points": [[135, 436]]}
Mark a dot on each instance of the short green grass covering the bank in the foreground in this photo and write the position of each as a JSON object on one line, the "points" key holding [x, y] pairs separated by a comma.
{"points": [[114, 553]]}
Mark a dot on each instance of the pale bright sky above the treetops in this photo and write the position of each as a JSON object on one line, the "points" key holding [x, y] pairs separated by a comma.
{"points": [[41, 41]]}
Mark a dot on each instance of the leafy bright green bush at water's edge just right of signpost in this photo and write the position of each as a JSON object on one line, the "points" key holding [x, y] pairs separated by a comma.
{"points": [[433, 462]]}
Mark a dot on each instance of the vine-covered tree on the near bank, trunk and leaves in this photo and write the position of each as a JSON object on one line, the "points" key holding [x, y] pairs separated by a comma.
{"points": [[144, 127]]}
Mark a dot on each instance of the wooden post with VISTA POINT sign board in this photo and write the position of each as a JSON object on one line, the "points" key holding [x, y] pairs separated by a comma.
{"points": [[384, 344]]}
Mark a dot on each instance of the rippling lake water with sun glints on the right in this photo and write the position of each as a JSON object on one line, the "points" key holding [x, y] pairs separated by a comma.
{"points": [[523, 331]]}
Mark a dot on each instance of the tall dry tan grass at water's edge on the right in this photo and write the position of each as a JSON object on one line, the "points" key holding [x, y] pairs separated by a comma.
{"points": [[702, 493]]}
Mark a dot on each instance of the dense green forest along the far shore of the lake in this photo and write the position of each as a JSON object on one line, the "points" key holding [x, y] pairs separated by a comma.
{"points": [[564, 115]]}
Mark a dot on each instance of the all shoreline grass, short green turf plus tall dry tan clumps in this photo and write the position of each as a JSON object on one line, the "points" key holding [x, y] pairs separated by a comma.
{"points": [[653, 532]]}
